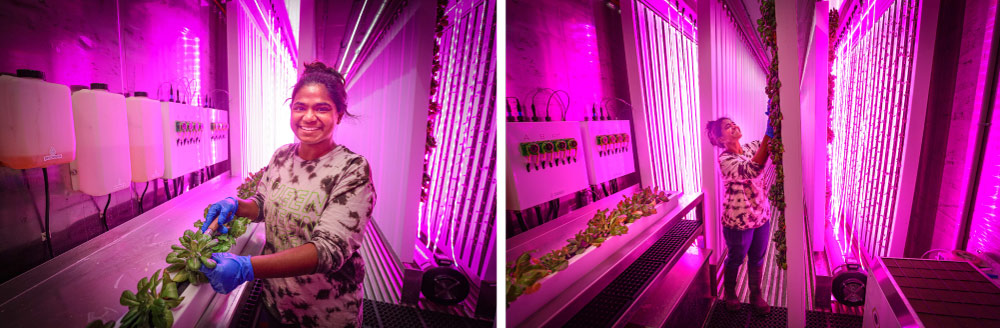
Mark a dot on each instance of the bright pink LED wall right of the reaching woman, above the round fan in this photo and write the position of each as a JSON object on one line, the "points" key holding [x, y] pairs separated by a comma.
{"points": [[870, 107]]}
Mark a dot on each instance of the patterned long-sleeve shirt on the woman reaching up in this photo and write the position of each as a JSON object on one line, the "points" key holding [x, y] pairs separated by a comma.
{"points": [[745, 206]]}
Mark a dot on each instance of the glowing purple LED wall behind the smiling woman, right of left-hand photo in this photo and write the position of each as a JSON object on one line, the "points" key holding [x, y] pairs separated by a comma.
{"points": [[457, 215]]}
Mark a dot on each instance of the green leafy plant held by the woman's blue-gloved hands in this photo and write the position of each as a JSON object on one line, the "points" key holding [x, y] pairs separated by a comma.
{"points": [[186, 259]]}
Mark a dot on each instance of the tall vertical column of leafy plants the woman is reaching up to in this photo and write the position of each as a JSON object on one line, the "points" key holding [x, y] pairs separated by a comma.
{"points": [[767, 27]]}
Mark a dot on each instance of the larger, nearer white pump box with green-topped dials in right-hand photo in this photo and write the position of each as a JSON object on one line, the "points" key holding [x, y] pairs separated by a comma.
{"points": [[544, 162]]}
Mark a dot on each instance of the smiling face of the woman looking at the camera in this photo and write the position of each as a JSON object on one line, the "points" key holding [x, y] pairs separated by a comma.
{"points": [[314, 115]]}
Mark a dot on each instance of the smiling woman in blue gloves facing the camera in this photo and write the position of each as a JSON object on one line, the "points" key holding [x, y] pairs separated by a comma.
{"points": [[315, 199]]}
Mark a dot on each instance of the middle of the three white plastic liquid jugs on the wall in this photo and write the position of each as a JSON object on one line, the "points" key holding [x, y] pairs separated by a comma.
{"points": [[102, 164]]}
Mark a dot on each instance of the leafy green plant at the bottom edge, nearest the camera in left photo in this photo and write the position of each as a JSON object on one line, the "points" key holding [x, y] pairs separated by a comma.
{"points": [[147, 308]]}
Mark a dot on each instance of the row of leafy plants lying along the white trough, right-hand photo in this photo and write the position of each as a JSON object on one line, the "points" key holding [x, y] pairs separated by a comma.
{"points": [[524, 273]]}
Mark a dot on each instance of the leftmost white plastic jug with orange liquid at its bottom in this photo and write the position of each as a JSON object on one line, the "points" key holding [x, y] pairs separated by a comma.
{"points": [[36, 122]]}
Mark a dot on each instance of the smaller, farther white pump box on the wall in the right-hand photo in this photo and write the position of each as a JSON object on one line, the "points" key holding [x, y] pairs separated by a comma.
{"points": [[608, 149]]}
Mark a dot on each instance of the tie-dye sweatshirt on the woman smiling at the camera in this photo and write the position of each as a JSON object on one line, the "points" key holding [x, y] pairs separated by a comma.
{"points": [[328, 202]]}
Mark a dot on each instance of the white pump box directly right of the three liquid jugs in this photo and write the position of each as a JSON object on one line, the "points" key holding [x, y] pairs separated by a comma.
{"points": [[182, 134]]}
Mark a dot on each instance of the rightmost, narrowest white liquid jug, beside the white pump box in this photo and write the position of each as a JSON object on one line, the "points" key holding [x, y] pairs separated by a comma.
{"points": [[145, 136]]}
